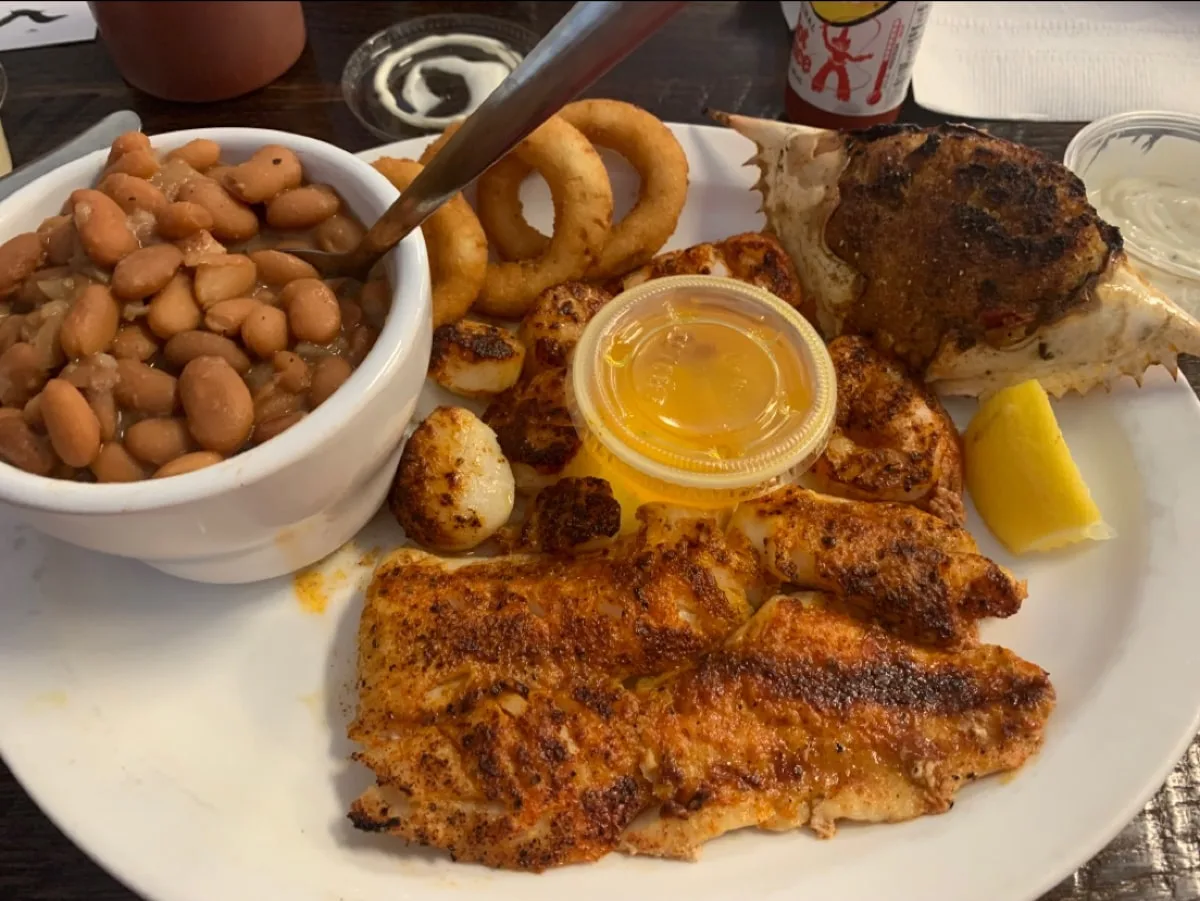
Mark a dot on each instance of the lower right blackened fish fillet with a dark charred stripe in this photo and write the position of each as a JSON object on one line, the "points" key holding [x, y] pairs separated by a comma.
{"points": [[808, 717]]}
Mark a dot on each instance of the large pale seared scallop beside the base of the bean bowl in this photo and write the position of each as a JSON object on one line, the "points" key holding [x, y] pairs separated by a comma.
{"points": [[454, 489]]}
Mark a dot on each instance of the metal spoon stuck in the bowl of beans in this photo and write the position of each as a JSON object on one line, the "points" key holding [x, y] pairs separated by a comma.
{"points": [[587, 43]]}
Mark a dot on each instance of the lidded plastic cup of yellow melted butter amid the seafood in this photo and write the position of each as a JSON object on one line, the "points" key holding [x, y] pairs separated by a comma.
{"points": [[701, 392]]}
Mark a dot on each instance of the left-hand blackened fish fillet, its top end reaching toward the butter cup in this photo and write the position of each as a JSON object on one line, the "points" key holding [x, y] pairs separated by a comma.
{"points": [[490, 690]]}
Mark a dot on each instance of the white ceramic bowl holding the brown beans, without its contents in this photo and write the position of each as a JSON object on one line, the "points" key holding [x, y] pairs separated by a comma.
{"points": [[295, 500]]}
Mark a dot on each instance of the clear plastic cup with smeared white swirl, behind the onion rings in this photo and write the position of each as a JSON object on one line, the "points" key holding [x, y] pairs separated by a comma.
{"points": [[359, 75]]}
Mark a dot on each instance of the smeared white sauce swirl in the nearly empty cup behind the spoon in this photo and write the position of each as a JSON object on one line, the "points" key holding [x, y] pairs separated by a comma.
{"points": [[482, 77]]}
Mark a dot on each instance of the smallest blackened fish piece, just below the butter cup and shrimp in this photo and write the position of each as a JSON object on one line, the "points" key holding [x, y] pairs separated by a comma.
{"points": [[891, 563]]}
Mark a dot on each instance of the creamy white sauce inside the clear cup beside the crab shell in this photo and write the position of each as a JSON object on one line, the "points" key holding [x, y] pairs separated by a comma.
{"points": [[1157, 217]]}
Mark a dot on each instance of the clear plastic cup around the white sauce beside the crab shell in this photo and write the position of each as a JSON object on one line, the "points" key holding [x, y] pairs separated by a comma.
{"points": [[1149, 145]]}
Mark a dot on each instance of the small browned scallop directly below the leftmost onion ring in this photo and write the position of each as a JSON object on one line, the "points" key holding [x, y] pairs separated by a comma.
{"points": [[476, 359]]}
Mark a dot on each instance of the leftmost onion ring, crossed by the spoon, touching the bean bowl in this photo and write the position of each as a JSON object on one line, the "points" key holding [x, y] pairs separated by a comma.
{"points": [[457, 245]]}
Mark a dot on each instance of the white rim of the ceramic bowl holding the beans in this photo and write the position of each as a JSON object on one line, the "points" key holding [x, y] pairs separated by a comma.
{"points": [[410, 274]]}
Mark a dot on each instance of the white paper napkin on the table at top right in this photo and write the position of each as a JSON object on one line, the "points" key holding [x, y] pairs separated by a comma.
{"points": [[1069, 62]]}
